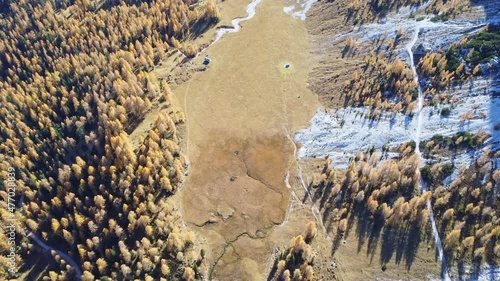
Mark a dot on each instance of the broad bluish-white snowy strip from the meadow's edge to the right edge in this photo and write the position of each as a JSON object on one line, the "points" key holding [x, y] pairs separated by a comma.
{"points": [[340, 134]]}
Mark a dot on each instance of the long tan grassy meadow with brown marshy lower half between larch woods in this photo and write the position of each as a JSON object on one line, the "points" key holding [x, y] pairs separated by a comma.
{"points": [[238, 115]]}
